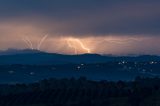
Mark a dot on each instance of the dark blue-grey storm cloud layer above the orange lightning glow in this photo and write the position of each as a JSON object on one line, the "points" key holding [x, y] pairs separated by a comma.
{"points": [[83, 17]]}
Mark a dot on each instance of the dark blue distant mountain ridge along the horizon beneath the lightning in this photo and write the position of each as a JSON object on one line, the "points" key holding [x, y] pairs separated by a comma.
{"points": [[35, 57]]}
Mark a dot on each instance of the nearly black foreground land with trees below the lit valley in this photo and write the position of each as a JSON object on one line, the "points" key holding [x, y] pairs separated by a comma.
{"points": [[82, 92]]}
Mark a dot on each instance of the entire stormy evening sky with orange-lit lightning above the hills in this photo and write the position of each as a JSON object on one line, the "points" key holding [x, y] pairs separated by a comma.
{"points": [[118, 27]]}
